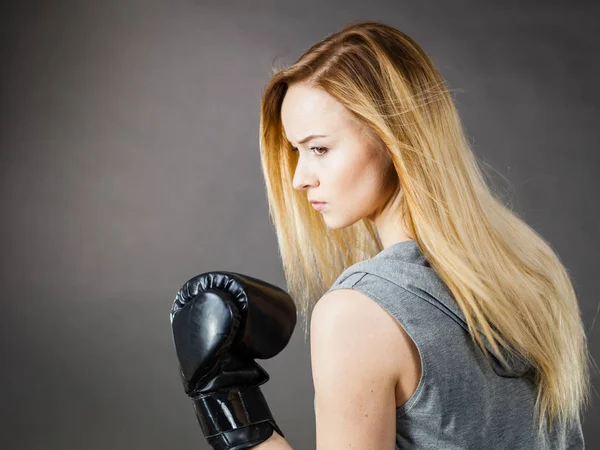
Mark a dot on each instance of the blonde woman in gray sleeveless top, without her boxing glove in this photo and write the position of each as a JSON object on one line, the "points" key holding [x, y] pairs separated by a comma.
{"points": [[453, 324]]}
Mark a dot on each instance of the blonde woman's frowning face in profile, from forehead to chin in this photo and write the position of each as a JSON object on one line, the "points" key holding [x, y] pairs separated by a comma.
{"points": [[346, 167]]}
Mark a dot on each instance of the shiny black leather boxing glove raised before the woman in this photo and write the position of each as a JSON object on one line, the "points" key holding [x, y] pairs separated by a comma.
{"points": [[221, 322]]}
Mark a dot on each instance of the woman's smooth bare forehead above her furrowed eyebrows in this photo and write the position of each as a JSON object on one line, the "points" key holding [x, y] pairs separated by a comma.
{"points": [[308, 110]]}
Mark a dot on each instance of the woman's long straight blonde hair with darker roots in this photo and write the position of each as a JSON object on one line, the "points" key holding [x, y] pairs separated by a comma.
{"points": [[505, 277]]}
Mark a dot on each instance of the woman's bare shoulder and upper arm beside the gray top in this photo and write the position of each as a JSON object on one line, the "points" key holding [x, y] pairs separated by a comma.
{"points": [[355, 378]]}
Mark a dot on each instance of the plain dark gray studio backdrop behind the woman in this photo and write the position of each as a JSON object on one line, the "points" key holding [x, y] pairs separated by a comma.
{"points": [[130, 163]]}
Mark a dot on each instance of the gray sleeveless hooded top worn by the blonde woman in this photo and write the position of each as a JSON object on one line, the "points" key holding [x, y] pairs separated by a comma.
{"points": [[462, 401]]}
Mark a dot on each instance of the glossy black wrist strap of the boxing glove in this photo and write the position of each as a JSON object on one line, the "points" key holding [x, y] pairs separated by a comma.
{"points": [[235, 419]]}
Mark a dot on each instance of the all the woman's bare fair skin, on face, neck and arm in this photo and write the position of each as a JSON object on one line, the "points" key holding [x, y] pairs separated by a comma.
{"points": [[352, 337]]}
